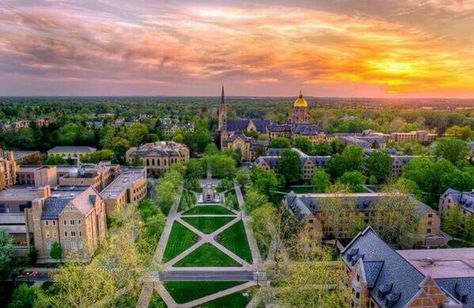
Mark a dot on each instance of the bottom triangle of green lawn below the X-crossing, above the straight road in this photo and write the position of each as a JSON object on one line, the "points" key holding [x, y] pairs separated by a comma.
{"points": [[207, 255]]}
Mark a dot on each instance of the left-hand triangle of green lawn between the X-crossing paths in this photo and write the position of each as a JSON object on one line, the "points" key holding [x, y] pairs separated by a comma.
{"points": [[181, 238]]}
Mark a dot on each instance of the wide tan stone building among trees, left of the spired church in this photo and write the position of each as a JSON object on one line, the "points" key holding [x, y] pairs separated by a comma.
{"points": [[159, 156]]}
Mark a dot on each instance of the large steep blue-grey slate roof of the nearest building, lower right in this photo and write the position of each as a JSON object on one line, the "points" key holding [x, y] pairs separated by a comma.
{"points": [[397, 276]]}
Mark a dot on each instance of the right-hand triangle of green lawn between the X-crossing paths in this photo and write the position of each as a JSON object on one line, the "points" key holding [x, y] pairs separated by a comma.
{"points": [[235, 239]]}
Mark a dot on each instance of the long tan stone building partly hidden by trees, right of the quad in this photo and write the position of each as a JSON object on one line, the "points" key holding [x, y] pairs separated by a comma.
{"points": [[306, 208]]}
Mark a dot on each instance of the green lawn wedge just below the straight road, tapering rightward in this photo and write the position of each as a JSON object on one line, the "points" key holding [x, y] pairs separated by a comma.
{"points": [[186, 291]]}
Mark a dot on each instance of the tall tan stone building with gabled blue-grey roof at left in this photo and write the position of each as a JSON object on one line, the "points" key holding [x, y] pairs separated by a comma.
{"points": [[73, 218]]}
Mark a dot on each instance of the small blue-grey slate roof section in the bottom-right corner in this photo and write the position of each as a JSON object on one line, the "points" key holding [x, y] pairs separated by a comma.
{"points": [[460, 288]]}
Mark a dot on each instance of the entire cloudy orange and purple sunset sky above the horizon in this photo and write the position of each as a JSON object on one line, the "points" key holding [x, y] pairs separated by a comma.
{"points": [[385, 48]]}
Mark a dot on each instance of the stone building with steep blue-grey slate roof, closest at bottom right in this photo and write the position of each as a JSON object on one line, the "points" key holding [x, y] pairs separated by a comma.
{"points": [[380, 277]]}
